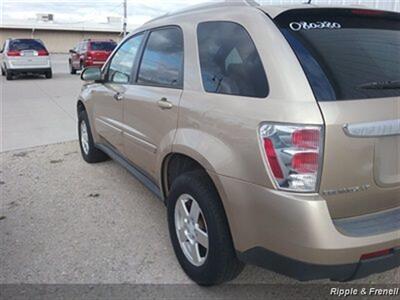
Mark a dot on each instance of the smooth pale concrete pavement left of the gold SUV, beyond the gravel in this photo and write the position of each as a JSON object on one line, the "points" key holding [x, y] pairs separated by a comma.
{"points": [[39, 111]]}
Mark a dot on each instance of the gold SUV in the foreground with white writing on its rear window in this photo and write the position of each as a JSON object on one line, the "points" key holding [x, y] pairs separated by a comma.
{"points": [[275, 143]]}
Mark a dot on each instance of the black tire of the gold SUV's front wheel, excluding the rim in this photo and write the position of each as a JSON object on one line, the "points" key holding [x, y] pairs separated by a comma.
{"points": [[93, 155]]}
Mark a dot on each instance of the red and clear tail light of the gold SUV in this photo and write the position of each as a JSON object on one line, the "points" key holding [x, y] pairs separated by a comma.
{"points": [[293, 155]]}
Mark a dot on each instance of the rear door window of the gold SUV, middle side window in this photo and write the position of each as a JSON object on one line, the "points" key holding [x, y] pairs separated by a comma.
{"points": [[162, 61]]}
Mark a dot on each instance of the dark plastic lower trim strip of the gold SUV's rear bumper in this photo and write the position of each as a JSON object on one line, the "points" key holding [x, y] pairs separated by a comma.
{"points": [[305, 271]]}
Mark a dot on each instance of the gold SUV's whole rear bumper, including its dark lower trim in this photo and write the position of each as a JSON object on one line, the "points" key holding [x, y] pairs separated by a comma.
{"points": [[297, 227]]}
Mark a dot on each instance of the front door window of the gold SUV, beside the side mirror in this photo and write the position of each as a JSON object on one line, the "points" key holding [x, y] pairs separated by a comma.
{"points": [[120, 69]]}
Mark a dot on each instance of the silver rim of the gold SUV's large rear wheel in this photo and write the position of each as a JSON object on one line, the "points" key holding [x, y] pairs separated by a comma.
{"points": [[191, 229]]}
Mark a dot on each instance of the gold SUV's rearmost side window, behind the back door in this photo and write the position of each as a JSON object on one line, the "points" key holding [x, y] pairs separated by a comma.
{"points": [[229, 60]]}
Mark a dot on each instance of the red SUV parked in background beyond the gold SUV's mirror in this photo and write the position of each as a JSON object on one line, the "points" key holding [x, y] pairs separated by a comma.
{"points": [[90, 53]]}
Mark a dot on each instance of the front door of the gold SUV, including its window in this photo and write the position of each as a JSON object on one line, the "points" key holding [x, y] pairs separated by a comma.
{"points": [[110, 95]]}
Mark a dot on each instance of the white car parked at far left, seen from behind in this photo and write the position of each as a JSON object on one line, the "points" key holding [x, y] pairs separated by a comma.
{"points": [[22, 56]]}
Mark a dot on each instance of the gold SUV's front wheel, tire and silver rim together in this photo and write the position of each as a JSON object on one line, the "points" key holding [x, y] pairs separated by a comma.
{"points": [[89, 152]]}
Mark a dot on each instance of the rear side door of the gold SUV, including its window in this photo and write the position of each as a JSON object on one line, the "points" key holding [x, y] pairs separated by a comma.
{"points": [[151, 104]]}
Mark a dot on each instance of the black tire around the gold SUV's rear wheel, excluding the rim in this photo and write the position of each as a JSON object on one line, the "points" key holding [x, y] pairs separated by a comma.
{"points": [[221, 263]]}
